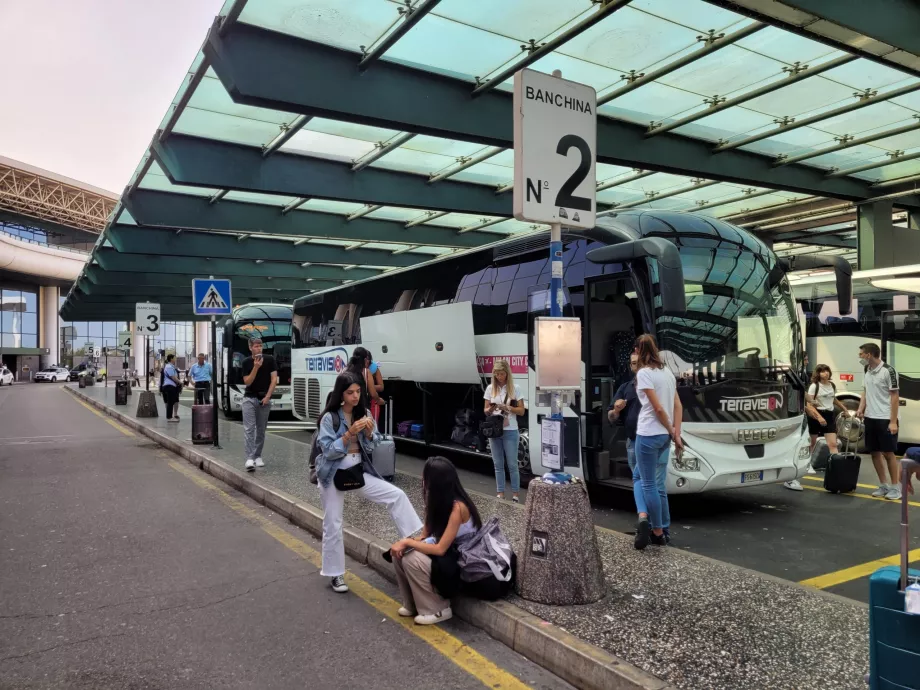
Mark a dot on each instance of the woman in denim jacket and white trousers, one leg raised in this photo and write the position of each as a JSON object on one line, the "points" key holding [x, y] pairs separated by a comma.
{"points": [[343, 448]]}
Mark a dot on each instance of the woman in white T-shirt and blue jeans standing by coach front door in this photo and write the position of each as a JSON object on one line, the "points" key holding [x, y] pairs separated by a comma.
{"points": [[658, 426]]}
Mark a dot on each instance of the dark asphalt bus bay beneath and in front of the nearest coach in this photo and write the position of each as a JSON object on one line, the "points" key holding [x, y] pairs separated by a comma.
{"points": [[793, 535]]}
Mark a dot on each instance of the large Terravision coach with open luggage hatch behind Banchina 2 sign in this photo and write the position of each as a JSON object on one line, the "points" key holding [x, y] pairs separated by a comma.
{"points": [[732, 339]]}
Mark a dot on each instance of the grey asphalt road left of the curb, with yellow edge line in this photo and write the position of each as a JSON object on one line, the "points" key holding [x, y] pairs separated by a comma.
{"points": [[123, 567]]}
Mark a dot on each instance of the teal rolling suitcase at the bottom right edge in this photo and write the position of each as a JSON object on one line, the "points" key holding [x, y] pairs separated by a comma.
{"points": [[894, 634]]}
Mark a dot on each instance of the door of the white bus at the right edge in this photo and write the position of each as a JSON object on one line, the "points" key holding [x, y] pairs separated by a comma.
{"points": [[901, 349]]}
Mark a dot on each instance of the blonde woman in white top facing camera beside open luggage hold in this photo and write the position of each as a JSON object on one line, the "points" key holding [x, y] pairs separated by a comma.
{"points": [[504, 400]]}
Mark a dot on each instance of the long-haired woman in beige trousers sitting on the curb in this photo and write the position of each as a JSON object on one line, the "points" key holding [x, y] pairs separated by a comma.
{"points": [[450, 518]]}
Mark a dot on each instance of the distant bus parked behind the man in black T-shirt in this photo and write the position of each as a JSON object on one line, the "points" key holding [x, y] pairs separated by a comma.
{"points": [[272, 323]]}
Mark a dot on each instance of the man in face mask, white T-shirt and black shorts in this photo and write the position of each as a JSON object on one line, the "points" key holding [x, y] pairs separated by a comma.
{"points": [[879, 407]]}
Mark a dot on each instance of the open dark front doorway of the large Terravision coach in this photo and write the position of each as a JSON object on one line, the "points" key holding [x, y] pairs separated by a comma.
{"points": [[612, 323]]}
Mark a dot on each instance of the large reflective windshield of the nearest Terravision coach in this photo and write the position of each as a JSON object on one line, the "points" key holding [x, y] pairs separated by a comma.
{"points": [[740, 323]]}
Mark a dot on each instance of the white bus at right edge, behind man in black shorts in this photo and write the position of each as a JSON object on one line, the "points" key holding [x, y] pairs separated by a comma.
{"points": [[881, 312]]}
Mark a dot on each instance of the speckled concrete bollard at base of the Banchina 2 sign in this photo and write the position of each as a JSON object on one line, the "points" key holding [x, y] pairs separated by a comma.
{"points": [[561, 564]]}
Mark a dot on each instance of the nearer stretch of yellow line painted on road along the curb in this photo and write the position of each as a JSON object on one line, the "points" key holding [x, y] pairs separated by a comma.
{"points": [[471, 661]]}
